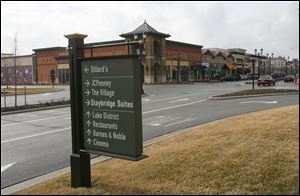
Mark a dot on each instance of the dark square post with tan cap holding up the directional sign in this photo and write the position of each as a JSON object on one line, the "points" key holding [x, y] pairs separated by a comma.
{"points": [[80, 161]]}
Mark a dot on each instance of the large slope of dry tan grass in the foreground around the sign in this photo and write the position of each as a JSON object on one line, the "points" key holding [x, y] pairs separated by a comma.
{"points": [[255, 153]]}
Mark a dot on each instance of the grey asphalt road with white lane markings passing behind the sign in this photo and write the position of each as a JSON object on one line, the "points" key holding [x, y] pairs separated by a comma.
{"points": [[36, 143]]}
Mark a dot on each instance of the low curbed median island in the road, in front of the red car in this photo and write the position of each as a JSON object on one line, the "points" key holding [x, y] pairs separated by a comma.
{"points": [[255, 92]]}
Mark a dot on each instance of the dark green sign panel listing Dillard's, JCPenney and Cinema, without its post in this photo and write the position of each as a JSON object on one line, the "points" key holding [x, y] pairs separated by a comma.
{"points": [[111, 92]]}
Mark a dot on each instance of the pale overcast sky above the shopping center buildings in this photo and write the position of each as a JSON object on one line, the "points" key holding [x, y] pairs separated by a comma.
{"points": [[273, 26]]}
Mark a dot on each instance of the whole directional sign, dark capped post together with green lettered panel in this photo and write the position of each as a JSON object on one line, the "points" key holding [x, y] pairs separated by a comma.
{"points": [[106, 112]]}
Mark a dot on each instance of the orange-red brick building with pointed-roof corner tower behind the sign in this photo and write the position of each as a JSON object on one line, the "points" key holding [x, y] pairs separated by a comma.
{"points": [[163, 60]]}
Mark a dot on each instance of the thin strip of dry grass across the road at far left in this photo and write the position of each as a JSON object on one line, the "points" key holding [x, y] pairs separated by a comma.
{"points": [[21, 91]]}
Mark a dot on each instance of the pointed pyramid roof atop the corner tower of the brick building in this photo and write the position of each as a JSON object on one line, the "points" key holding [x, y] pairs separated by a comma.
{"points": [[145, 28]]}
